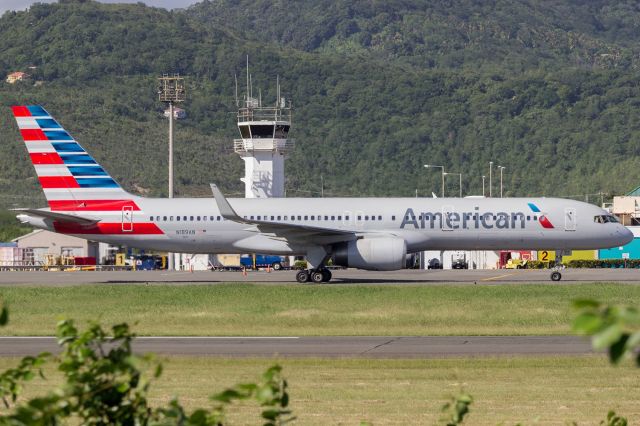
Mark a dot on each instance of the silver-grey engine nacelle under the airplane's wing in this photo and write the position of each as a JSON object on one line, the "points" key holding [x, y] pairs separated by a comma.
{"points": [[373, 254]]}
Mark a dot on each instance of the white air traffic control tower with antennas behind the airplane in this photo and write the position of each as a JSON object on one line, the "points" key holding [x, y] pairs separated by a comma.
{"points": [[264, 144]]}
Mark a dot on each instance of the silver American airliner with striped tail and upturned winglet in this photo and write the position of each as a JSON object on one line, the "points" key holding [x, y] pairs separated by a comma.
{"points": [[365, 233]]}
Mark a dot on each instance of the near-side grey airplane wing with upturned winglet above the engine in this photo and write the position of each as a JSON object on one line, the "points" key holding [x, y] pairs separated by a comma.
{"points": [[288, 231]]}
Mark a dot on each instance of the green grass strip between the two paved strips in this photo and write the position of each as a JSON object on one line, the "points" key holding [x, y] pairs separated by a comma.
{"points": [[294, 310]]}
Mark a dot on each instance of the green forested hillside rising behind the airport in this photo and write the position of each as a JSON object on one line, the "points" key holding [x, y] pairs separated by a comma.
{"points": [[548, 89]]}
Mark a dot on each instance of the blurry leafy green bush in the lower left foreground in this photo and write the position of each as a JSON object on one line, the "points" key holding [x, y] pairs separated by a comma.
{"points": [[105, 383]]}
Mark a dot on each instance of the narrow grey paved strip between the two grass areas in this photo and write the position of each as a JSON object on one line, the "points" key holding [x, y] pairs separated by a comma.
{"points": [[330, 347]]}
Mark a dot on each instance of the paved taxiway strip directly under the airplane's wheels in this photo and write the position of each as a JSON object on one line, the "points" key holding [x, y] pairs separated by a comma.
{"points": [[344, 277]]}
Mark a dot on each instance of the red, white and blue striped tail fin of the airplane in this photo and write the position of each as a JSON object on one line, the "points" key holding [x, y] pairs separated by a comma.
{"points": [[71, 179]]}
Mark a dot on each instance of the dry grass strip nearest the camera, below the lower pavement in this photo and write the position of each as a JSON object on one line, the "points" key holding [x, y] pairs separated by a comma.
{"points": [[543, 391]]}
